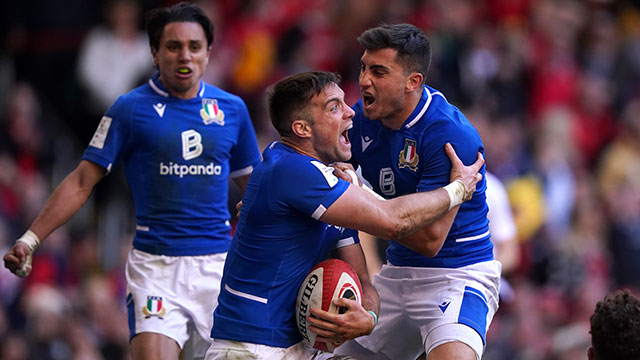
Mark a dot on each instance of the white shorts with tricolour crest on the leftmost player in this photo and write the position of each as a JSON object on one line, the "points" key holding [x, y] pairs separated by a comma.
{"points": [[172, 295]]}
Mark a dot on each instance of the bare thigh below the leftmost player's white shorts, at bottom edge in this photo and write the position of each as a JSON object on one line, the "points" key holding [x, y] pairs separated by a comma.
{"points": [[154, 346]]}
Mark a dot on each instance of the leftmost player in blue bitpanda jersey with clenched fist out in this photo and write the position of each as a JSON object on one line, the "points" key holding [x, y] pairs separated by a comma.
{"points": [[179, 140]]}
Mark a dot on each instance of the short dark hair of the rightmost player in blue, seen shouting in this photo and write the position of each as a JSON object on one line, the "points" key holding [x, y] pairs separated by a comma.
{"points": [[412, 45]]}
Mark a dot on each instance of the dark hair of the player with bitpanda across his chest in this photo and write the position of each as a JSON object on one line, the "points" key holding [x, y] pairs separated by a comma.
{"points": [[157, 19]]}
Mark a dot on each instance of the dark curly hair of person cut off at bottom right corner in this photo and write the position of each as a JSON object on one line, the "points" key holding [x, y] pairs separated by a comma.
{"points": [[615, 327]]}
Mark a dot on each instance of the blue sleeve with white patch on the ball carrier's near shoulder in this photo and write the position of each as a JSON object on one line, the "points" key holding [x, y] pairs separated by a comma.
{"points": [[306, 185]]}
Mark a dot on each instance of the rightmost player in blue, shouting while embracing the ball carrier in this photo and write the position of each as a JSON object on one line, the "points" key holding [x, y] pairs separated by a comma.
{"points": [[439, 287]]}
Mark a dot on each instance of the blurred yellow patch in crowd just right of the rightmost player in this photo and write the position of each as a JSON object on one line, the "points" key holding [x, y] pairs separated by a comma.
{"points": [[527, 200]]}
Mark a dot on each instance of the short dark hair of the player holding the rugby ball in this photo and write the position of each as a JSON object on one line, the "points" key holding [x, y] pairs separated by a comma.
{"points": [[290, 97]]}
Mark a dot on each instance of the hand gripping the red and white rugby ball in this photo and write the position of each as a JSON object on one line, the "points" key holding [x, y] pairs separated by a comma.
{"points": [[338, 328]]}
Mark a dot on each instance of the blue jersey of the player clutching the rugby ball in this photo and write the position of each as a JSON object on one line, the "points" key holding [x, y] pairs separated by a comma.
{"points": [[277, 241]]}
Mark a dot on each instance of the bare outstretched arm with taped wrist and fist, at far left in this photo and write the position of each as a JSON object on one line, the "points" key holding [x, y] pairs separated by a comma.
{"points": [[65, 201]]}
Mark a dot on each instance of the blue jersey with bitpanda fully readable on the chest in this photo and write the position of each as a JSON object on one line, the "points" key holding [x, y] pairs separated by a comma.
{"points": [[178, 155]]}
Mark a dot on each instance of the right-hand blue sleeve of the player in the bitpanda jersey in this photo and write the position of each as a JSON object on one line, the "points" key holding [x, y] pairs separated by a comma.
{"points": [[245, 155]]}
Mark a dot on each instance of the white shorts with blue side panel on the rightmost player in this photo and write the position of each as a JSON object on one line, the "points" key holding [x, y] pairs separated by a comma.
{"points": [[422, 308]]}
